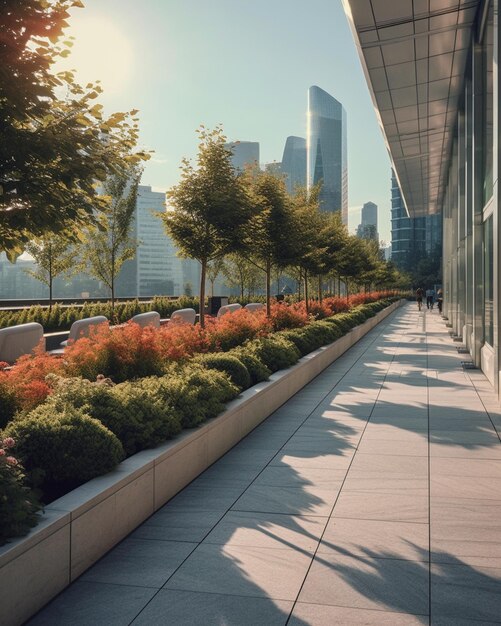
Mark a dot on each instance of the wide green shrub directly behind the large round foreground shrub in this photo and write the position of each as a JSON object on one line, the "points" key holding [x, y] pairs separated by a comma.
{"points": [[130, 410]]}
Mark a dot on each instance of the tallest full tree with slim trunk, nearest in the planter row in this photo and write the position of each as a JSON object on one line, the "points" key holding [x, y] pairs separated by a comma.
{"points": [[208, 207]]}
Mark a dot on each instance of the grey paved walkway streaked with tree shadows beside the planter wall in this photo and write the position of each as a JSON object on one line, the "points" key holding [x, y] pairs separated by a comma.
{"points": [[372, 497]]}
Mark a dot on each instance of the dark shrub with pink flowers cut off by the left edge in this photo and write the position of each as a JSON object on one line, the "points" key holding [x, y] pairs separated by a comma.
{"points": [[18, 507]]}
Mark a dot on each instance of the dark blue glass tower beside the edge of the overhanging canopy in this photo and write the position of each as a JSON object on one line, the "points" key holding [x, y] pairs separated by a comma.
{"points": [[408, 235]]}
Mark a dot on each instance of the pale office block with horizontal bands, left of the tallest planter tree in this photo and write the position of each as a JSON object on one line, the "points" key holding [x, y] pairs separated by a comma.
{"points": [[159, 270]]}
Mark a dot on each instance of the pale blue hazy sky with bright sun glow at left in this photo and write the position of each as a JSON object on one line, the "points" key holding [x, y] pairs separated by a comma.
{"points": [[244, 64]]}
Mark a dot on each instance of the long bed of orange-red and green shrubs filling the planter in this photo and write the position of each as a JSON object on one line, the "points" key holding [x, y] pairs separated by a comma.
{"points": [[122, 390]]}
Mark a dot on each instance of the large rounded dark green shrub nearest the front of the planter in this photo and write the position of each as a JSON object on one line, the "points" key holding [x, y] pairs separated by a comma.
{"points": [[63, 448]]}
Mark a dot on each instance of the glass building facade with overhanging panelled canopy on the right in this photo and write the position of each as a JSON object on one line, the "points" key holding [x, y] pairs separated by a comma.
{"points": [[433, 74]]}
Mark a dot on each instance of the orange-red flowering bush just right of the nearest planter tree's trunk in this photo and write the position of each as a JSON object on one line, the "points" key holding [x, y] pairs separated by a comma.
{"points": [[233, 329]]}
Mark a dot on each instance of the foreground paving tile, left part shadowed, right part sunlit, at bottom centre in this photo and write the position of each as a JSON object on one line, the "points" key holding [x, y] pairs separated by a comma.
{"points": [[243, 571]]}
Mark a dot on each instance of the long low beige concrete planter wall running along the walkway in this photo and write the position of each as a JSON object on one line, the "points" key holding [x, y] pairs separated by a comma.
{"points": [[79, 528]]}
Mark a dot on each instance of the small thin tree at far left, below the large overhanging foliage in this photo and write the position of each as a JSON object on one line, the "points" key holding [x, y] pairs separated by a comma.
{"points": [[53, 255]]}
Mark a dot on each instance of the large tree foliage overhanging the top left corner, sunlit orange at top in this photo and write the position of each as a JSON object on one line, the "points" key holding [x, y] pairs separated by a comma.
{"points": [[52, 150]]}
